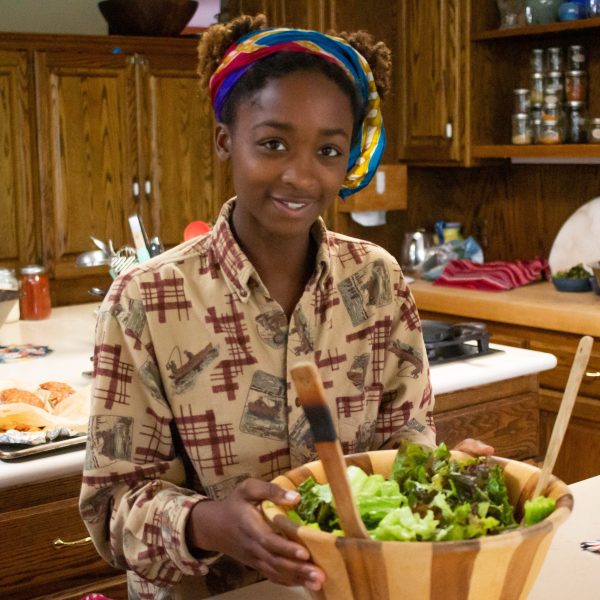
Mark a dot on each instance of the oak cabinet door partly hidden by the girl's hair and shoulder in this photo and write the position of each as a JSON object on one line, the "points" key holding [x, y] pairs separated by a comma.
{"points": [[179, 158]]}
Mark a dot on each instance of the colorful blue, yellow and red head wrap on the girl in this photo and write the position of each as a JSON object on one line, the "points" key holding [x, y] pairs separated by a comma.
{"points": [[365, 154]]}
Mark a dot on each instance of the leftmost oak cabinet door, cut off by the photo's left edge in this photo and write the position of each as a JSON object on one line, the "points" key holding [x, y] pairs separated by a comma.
{"points": [[19, 223]]}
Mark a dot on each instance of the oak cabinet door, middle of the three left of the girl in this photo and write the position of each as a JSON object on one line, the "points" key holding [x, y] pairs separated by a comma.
{"points": [[88, 152]]}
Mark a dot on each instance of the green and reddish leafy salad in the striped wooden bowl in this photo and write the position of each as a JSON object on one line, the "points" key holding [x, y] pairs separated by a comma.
{"points": [[429, 496]]}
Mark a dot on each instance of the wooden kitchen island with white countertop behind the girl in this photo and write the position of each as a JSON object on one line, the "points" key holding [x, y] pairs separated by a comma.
{"points": [[492, 397]]}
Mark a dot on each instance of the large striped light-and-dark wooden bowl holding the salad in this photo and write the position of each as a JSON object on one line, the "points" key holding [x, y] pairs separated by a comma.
{"points": [[504, 566]]}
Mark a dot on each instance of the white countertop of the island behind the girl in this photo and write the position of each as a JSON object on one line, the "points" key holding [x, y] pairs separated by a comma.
{"points": [[70, 333]]}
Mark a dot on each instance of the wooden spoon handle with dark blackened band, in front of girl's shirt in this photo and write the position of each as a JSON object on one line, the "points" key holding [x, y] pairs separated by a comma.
{"points": [[312, 398]]}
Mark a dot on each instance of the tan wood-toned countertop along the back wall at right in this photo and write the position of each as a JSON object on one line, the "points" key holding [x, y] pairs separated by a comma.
{"points": [[537, 305]]}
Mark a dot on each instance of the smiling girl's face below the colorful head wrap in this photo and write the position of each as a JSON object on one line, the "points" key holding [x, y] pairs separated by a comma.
{"points": [[288, 148]]}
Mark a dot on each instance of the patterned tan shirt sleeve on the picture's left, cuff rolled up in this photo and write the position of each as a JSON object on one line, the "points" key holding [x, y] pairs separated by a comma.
{"points": [[132, 500]]}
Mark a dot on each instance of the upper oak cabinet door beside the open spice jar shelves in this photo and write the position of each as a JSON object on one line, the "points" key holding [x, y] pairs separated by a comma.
{"points": [[432, 80]]}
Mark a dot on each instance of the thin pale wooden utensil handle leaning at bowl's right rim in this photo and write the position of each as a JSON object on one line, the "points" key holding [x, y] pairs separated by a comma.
{"points": [[580, 361]]}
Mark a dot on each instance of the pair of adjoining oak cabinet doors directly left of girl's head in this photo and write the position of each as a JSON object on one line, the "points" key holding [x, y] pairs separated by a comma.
{"points": [[121, 132]]}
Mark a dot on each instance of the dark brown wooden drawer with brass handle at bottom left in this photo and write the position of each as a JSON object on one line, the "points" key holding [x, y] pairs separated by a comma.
{"points": [[32, 567]]}
